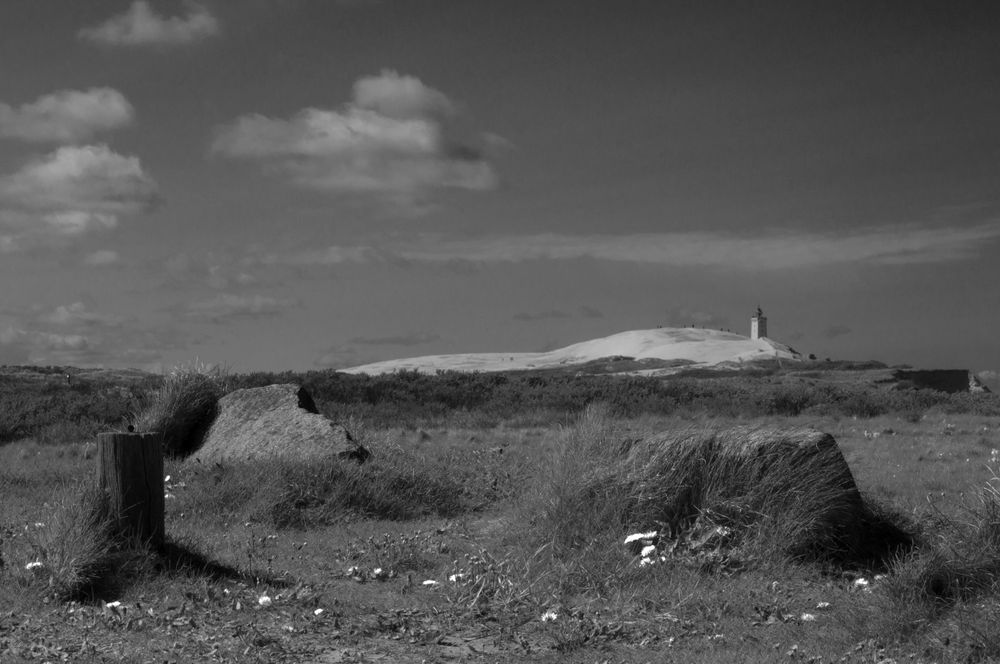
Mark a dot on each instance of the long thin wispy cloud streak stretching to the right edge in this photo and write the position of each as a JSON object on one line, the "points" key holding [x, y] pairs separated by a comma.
{"points": [[769, 251]]}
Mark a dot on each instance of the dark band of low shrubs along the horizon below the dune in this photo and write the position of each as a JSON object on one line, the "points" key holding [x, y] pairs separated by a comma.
{"points": [[43, 404]]}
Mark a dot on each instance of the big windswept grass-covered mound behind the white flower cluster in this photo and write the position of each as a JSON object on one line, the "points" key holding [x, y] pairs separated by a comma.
{"points": [[776, 492]]}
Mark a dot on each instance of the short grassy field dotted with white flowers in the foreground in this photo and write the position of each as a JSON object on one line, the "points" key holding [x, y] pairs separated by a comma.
{"points": [[481, 543]]}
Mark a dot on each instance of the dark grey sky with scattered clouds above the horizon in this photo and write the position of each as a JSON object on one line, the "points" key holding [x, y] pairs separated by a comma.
{"points": [[311, 184]]}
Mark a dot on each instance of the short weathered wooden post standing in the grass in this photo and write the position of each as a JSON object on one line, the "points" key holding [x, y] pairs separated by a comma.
{"points": [[130, 473]]}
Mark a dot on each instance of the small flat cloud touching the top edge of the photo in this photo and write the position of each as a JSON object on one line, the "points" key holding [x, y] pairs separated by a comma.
{"points": [[141, 26]]}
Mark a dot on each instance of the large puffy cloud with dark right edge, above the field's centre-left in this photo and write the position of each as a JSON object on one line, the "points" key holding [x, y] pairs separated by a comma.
{"points": [[398, 139]]}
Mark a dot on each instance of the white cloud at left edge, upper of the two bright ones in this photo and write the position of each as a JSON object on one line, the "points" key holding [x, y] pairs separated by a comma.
{"points": [[66, 116]]}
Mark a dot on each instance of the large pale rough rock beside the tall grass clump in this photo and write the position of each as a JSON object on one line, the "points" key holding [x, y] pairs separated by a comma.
{"points": [[274, 421]]}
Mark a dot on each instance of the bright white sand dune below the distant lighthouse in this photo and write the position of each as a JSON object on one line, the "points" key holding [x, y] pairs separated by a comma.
{"points": [[698, 346]]}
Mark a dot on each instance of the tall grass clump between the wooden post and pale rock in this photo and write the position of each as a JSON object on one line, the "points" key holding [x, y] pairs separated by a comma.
{"points": [[183, 408]]}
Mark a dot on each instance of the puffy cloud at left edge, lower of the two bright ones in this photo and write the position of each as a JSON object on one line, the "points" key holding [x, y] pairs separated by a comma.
{"points": [[75, 190]]}
